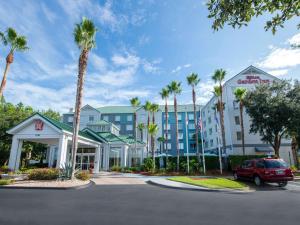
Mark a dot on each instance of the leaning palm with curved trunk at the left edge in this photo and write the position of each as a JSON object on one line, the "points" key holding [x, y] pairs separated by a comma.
{"points": [[17, 43]]}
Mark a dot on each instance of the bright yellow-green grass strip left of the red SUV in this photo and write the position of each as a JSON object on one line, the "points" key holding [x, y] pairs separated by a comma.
{"points": [[217, 183]]}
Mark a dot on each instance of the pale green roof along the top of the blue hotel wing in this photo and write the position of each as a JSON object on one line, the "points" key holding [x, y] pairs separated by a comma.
{"points": [[130, 109]]}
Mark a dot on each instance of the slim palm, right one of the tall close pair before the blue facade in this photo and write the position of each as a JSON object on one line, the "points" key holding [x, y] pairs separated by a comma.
{"points": [[175, 88]]}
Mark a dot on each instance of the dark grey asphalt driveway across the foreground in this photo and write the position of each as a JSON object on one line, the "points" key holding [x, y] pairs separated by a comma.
{"points": [[136, 204]]}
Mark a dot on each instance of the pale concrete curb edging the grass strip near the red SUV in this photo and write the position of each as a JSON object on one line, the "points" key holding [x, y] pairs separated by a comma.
{"points": [[199, 188]]}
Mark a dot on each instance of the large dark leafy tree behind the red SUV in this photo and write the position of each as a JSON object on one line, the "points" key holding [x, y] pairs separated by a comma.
{"points": [[270, 112]]}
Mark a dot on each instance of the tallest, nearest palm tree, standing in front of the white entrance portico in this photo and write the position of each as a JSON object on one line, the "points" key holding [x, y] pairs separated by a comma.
{"points": [[84, 36]]}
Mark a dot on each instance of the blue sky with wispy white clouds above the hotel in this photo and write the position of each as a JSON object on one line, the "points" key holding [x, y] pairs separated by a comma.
{"points": [[142, 45]]}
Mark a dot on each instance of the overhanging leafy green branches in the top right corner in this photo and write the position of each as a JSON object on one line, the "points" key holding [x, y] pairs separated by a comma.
{"points": [[238, 13]]}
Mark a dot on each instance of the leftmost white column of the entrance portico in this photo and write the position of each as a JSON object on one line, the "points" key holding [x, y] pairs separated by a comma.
{"points": [[15, 154]]}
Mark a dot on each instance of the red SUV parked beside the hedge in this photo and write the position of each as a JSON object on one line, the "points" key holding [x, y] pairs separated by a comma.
{"points": [[264, 170]]}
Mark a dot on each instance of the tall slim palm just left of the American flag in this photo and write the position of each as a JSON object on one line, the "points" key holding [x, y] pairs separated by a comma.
{"points": [[193, 81]]}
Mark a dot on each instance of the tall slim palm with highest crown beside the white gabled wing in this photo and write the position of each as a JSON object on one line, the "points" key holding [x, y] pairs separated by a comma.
{"points": [[218, 77]]}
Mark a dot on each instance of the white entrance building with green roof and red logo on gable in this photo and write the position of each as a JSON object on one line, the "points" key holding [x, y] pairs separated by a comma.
{"points": [[96, 150]]}
